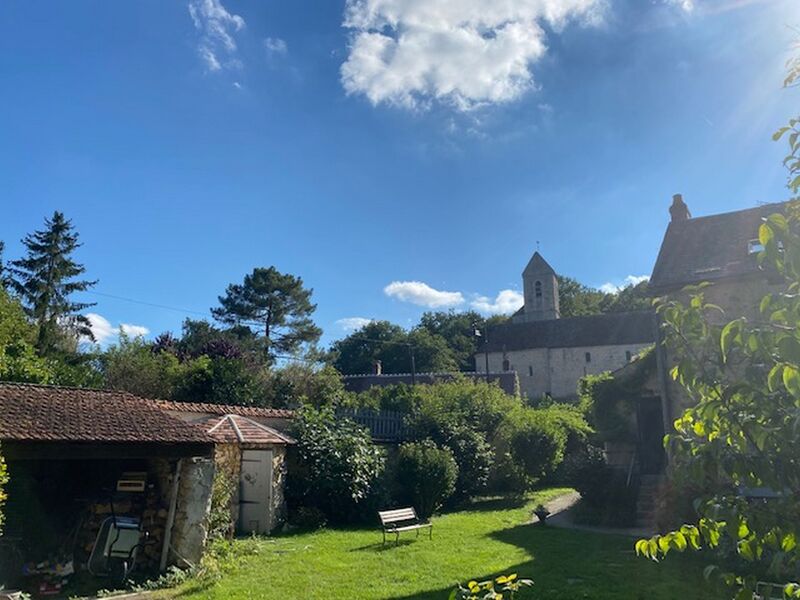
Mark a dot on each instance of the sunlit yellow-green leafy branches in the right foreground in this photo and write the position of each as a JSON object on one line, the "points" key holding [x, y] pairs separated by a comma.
{"points": [[739, 445]]}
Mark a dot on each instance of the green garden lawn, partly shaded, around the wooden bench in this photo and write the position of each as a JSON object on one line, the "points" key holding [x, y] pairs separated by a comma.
{"points": [[488, 538]]}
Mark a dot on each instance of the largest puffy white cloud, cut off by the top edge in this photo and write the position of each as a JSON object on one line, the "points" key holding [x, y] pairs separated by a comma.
{"points": [[467, 53]]}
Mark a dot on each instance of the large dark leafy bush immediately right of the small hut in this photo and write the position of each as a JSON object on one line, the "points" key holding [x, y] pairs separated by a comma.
{"points": [[333, 467]]}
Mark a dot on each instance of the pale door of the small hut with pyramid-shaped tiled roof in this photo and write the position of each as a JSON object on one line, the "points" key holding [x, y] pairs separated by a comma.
{"points": [[255, 498]]}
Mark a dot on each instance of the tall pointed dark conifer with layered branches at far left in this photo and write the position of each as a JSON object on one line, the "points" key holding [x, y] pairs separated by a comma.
{"points": [[45, 280]]}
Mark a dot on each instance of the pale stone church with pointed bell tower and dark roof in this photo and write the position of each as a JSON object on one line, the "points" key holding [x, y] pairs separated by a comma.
{"points": [[550, 354]]}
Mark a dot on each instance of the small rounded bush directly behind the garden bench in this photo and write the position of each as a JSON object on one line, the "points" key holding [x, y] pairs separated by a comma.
{"points": [[426, 475]]}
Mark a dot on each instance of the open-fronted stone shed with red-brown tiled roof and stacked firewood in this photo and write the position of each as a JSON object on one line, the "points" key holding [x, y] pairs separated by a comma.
{"points": [[77, 456]]}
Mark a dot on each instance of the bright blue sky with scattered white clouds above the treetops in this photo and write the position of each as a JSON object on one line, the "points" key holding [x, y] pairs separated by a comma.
{"points": [[429, 145]]}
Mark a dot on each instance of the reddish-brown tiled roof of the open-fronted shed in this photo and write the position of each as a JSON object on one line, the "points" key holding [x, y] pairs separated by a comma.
{"points": [[63, 414]]}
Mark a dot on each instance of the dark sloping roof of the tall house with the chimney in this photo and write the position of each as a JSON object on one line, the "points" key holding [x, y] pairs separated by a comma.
{"points": [[709, 248]]}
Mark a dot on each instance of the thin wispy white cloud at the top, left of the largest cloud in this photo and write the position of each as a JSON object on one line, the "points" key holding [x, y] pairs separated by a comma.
{"points": [[217, 26]]}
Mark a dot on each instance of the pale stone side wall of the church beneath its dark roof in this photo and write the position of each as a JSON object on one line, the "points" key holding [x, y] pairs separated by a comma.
{"points": [[556, 371]]}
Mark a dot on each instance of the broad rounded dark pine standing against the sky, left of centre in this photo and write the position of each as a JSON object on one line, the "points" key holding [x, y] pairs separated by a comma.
{"points": [[275, 302]]}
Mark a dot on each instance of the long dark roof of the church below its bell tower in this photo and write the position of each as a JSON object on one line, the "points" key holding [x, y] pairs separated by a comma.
{"points": [[595, 330]]}
